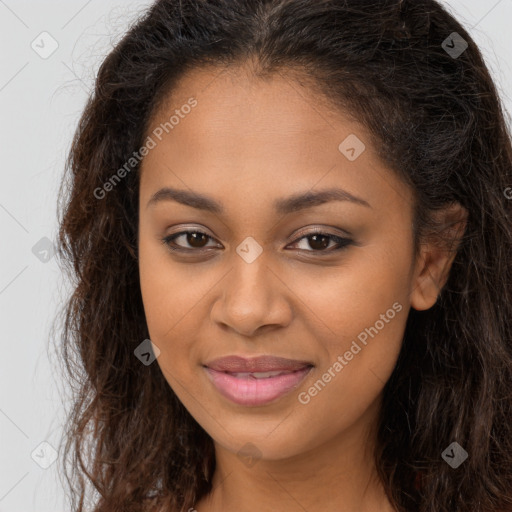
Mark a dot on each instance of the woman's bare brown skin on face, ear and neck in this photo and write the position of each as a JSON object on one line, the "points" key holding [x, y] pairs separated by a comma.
{"points": [[247, 143]]}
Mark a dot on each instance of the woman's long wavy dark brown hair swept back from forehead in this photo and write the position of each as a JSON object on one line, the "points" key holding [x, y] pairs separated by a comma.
{"points": [[436, 120]]}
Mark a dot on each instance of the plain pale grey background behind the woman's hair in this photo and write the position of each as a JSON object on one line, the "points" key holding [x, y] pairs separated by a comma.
{"points": [[40, 102]]}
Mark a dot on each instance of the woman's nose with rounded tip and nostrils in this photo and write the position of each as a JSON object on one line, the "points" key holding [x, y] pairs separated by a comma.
{"points": [[254, 299]]}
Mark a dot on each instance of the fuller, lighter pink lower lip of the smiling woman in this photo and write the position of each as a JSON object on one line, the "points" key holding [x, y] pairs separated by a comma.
{"points": [[252, 392]]}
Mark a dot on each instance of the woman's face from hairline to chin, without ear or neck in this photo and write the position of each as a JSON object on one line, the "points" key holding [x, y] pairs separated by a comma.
{"points": [[259, 168]]}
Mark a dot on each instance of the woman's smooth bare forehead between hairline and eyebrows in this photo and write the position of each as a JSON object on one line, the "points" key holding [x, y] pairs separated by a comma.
{"points": [[261, 135]]}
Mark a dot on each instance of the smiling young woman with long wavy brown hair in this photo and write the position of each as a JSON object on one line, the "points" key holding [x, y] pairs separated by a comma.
{"points": [[290, 233]]}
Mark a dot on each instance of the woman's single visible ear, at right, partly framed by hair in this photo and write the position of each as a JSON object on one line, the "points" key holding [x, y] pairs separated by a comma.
{"points": [[436, 256]]}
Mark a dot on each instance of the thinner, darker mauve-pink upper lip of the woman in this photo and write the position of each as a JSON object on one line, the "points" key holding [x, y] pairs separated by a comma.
{"points": [[237, 364]]}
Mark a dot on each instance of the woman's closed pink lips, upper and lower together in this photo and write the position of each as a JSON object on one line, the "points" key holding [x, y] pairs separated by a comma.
{"points": [[244, 382]]}
